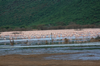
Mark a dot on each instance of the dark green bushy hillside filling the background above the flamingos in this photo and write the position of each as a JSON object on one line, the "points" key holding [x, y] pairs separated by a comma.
{"points": [[32, 13]]}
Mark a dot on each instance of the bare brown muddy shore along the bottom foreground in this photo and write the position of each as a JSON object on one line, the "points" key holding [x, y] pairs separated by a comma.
{"points": [[38, 60]]}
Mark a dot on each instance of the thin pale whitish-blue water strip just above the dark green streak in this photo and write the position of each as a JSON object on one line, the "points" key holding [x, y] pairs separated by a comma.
{"points": [[54, 45]]}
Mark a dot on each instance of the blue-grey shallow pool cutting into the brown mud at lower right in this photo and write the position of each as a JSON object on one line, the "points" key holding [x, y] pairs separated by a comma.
{"points": [[90, 55]]}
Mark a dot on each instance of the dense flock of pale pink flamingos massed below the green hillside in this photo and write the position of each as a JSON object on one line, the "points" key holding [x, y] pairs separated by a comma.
{"points": [[61, 34]]}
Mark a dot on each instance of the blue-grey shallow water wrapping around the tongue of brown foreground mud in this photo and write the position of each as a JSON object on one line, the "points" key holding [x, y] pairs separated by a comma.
{"points": [[77, 53]]}
